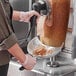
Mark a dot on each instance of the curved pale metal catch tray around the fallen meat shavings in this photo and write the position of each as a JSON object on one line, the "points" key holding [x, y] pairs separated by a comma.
{"points": [[35, 43]]}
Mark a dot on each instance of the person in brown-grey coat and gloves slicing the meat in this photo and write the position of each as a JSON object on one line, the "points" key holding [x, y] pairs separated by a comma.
{"points": [[8, 41]]}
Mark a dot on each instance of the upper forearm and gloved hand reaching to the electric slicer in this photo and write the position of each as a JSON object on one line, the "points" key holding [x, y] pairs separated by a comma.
{"points": [[24, 16]]}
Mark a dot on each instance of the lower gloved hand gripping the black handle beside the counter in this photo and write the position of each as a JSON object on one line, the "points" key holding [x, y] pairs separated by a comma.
{"points": [[29, 62]]}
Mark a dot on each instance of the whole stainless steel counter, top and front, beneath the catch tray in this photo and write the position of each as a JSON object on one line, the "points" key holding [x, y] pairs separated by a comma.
{"points": [[41, 69]]}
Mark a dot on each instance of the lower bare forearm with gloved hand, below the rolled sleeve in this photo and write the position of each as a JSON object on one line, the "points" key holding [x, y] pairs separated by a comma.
{"points": [[27, 61]]}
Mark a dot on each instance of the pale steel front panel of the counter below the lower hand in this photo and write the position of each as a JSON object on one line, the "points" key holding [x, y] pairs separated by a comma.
{"points": [[14, 70]]}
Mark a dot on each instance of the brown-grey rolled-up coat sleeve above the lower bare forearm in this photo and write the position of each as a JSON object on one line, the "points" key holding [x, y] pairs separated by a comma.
{"points": [[7, 37]]}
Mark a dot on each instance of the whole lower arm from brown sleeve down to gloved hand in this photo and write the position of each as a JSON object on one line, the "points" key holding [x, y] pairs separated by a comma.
{"points": [[8, 41]]}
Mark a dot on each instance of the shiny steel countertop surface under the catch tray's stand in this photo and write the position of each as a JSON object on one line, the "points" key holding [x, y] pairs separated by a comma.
{"points": [[41, 67]]}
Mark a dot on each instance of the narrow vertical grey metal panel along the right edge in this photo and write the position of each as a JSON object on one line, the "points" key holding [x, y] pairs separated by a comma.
{"points": [[74, 31]]}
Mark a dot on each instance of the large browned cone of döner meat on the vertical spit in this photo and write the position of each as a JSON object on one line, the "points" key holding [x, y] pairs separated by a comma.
{"points": [[58, 19]]}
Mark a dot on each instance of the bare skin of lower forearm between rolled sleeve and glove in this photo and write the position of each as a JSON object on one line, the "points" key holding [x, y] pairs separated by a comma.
{"points": [[17, 52]]}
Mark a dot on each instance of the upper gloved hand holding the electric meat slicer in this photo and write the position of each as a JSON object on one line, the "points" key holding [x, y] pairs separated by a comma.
{"points": [[25, 16]]}
